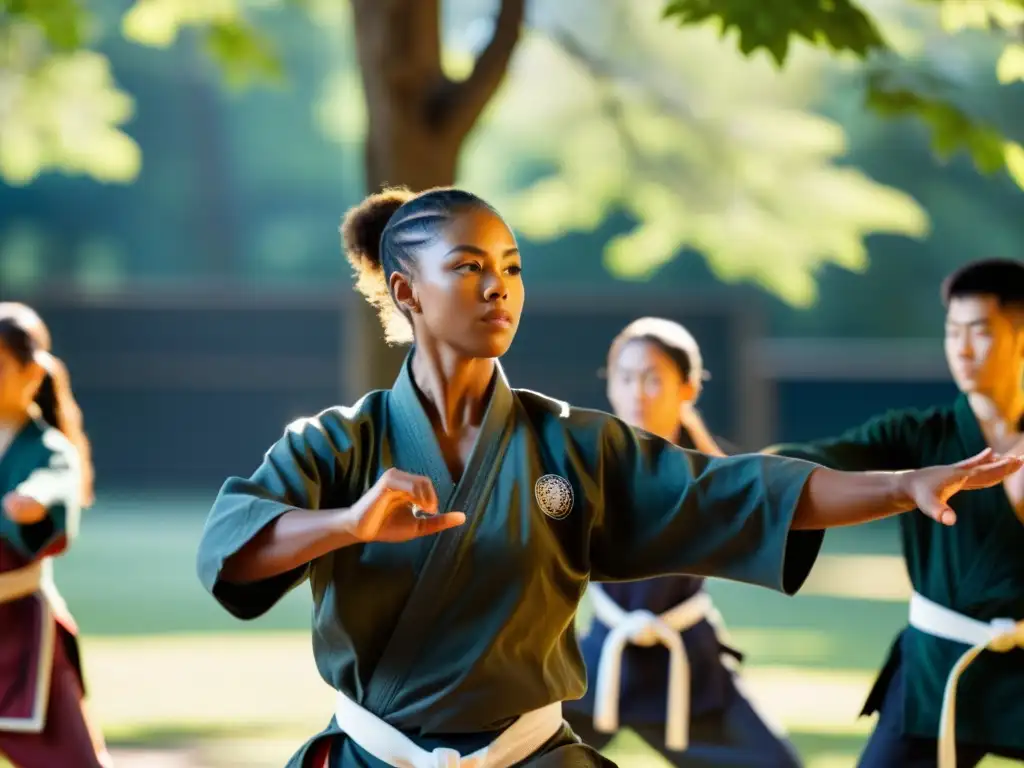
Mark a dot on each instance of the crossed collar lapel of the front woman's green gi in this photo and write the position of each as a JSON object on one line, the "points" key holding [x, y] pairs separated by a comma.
{"points": [[416, 450]]}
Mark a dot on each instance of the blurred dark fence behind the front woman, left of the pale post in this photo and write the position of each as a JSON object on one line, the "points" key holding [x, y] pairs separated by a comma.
{"points": [[182, 390]]}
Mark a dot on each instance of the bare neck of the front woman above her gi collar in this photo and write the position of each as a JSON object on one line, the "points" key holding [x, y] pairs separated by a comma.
{"points": [[455, 386]]}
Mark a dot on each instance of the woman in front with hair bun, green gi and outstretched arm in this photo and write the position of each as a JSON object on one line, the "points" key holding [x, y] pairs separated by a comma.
{"points": [[450, 526]]}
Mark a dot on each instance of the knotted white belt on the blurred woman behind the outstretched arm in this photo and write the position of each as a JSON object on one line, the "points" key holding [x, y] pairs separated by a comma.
{"points": [[645, 629]]}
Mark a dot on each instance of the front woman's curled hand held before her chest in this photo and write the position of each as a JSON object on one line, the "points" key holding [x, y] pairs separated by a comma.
{"points": [[399, 507]]}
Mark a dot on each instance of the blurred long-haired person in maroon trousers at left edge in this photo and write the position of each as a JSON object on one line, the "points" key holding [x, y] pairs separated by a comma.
{"points": [[42, 718]]}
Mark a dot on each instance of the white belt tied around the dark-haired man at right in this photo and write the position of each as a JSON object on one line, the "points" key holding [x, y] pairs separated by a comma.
{"points": [[1001, 635]]}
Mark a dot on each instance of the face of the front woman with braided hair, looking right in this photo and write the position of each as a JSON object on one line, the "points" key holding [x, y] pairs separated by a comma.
{"points": [[467, 289]]}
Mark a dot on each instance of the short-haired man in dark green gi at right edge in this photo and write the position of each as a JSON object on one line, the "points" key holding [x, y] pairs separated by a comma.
{"points": [[968, 580]]}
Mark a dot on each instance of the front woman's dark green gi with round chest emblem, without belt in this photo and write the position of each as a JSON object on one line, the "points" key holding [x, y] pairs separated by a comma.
{"points": [[451, 638]]}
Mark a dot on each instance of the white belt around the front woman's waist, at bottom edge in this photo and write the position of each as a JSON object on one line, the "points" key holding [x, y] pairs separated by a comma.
{"points": [[388, 744]]}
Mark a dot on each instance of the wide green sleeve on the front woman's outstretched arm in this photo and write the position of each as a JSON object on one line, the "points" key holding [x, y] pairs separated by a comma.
{"points": [[666, 510]]}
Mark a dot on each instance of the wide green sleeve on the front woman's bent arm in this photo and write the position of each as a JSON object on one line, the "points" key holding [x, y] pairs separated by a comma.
{"points": [[306, 470]]}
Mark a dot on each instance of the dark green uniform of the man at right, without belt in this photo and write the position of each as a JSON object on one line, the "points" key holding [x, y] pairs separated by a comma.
{"points": [[975, 568]]}
